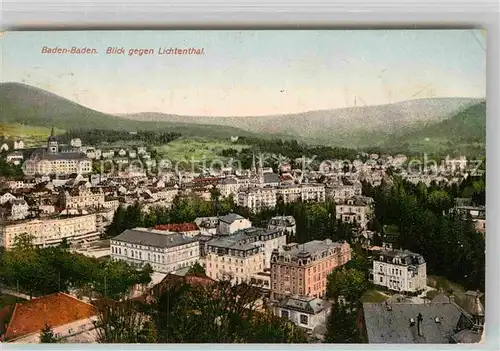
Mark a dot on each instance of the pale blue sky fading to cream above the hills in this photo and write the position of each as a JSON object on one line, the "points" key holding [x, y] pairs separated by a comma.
{"points": [[250, 72]]}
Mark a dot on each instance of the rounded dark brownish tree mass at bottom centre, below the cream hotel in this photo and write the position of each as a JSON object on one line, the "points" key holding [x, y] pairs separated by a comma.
{"points": [[217, 313]]}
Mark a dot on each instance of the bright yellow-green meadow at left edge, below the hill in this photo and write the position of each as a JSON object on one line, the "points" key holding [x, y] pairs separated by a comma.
{"points": [[32, 136]]}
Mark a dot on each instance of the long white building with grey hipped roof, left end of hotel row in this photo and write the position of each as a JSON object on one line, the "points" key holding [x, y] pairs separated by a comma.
{"points": [[166, 252]]}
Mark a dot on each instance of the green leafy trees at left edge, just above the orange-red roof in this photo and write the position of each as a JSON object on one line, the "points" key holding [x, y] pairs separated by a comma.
{"points": [[37, 271]]}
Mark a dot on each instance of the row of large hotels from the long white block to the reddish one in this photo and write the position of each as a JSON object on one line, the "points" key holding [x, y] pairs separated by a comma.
{"points": [[293, 276]]}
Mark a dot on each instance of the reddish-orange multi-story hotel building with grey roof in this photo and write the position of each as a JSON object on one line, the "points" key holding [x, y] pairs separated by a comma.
{"points": [[303, 269]]}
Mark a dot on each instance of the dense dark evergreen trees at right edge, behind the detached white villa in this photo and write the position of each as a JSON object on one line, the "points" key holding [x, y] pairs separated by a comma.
{"points": [[427, 224]]}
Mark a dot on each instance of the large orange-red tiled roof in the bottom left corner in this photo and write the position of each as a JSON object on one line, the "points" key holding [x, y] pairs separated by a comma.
{"points": [[54, 310]]}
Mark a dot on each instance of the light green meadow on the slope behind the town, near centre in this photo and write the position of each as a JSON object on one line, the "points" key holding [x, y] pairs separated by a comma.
{"points": [[197, 149]]}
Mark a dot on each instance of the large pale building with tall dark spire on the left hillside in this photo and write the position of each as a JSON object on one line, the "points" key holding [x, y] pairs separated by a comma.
{"points": [[53, 162]]}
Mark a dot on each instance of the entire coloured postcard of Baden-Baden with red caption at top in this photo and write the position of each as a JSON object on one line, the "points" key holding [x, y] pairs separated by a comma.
{"points": [[255, 186]]}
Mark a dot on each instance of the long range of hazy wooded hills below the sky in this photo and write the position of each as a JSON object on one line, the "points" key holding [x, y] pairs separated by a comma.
{"points": [[415, 125]]}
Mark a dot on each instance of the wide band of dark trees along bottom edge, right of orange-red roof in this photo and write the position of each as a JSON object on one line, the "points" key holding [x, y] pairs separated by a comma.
{"points": [[184, 313]]}
